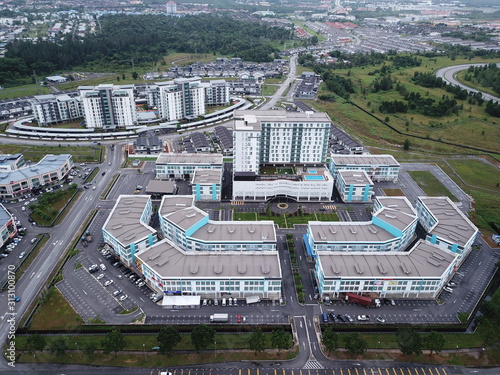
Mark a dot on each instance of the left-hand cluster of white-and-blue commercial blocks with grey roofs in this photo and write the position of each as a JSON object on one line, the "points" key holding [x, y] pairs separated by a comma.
{"points": [[197, 256]]}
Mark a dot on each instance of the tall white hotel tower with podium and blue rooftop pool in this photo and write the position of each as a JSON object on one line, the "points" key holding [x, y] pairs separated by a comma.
{"points": [[281, 142]]}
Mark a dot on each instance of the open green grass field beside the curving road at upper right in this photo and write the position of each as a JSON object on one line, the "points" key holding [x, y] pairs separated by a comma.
{"points": [[470, 127]]}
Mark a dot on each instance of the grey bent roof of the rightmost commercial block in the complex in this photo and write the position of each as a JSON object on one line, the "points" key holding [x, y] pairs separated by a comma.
{"points": [[452, 224]]}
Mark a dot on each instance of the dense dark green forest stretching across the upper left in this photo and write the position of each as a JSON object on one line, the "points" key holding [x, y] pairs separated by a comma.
{"points": [[145, 39]]}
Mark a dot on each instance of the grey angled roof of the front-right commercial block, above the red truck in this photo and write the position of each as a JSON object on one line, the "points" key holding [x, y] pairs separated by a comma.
{"points": [[424, 260]]}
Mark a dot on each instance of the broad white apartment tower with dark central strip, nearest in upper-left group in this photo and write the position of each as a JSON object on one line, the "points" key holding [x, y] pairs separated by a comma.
{"points": [[108, 106]]}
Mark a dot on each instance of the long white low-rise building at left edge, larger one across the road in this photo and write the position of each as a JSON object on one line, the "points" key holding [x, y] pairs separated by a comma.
{"points": [[50, 169]]}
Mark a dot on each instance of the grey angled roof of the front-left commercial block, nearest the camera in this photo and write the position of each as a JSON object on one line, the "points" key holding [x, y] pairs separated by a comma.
{"points": [[168, 261]]}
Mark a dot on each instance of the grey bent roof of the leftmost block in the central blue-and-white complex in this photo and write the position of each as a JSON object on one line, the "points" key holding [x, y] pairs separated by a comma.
{"points": [[124, 222]]}
